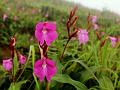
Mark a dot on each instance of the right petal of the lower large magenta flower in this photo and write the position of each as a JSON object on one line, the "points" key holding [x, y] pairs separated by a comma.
{"points": [[51, 69]]}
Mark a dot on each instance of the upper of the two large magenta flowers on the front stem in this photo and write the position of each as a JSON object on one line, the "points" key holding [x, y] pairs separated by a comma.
{"points": [[46, 32]]}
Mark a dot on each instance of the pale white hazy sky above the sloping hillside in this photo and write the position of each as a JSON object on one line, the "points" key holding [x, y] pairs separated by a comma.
{"points": [[112, 5]]}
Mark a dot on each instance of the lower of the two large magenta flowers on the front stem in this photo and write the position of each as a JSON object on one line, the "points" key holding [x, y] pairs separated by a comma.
{"points": [[45, 68]]}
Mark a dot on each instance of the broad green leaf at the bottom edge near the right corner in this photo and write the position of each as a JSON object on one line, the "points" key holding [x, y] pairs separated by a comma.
{"points": [[106, 83]]}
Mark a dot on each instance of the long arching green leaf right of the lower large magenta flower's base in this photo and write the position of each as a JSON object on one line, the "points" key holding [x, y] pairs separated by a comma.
{"points": [[66, 79]]}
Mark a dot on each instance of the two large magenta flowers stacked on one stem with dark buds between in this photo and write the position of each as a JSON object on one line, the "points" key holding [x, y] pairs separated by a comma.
{"points": [[45, 33]]}
